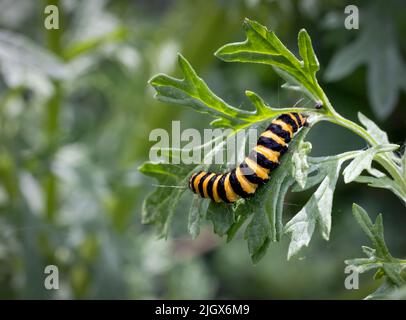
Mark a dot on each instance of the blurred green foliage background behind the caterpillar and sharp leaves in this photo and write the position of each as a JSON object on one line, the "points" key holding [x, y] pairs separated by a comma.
{"points": [[76, 112]]}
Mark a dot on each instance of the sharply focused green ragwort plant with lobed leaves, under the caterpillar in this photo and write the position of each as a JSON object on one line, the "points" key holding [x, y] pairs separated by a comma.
{"points": [[297, 172]]}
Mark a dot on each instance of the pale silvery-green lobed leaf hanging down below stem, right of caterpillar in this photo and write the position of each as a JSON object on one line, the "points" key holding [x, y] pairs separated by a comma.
{"points": [[316, 211]]}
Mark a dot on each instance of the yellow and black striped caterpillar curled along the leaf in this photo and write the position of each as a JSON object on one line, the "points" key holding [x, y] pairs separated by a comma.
{"points": [[243, 181]]}
